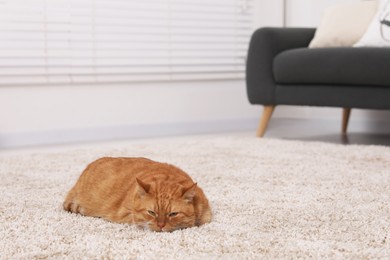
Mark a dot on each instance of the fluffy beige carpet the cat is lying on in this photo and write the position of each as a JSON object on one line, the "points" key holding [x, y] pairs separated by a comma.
{"points": [[271, 199]]}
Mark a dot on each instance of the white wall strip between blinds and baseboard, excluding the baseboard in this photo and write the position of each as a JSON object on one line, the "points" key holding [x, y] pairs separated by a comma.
{"points": [[61, 107]]}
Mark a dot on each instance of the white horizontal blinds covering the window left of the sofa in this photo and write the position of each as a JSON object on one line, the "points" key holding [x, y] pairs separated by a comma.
{"points": [[100, 41]]}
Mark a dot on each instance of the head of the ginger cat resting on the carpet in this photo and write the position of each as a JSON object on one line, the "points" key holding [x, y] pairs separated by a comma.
{"points": [[165, 208]]}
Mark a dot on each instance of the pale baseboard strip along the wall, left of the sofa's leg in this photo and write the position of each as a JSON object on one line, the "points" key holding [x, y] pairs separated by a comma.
{"points": [[66, 136]]}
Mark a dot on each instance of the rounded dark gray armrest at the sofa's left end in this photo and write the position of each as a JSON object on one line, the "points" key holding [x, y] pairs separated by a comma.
{"points": [[265, 44]]}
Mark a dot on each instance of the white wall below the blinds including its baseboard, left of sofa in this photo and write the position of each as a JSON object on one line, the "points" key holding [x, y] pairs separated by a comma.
{"points": [[42, 115]]}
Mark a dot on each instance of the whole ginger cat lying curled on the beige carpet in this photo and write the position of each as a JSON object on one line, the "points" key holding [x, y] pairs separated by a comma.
{"points": [[152, 195]]}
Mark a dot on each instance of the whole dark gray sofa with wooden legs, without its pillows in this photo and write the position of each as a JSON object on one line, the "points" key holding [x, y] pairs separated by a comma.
{"points": [[282, 70]]}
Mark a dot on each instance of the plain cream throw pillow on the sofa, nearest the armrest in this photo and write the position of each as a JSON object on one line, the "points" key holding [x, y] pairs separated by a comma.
{"points": [[344, 24]]}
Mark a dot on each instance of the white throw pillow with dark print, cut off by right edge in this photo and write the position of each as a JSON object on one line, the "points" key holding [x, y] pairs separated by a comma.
{"points": [[378, 33]]}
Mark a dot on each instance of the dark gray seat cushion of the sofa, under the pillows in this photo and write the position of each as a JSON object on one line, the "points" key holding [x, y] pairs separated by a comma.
{"points": [[330, 66]]}
